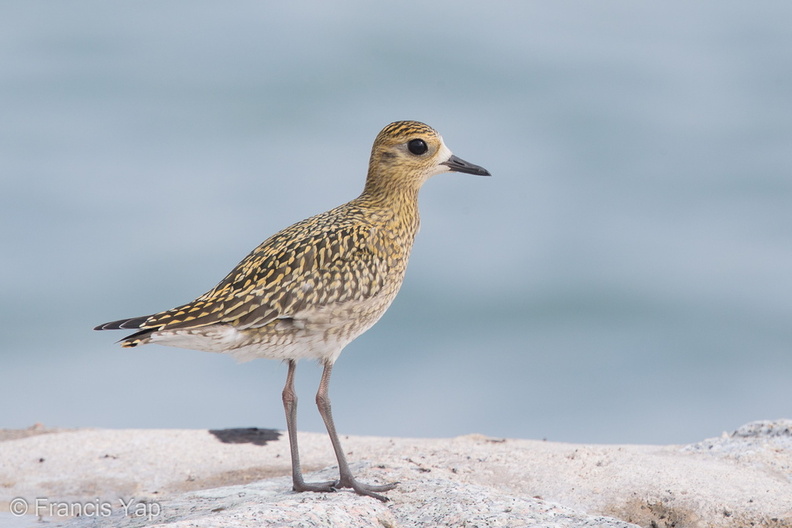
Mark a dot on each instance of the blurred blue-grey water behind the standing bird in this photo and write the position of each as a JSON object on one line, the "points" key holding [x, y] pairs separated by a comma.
{"points": [[624, 276]]}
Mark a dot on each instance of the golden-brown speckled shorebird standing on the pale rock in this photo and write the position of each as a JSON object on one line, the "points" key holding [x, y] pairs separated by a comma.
{"points": [[310, 289]]}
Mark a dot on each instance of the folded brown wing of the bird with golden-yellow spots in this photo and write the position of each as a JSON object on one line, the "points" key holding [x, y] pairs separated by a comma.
{"points": [[298, 268]]}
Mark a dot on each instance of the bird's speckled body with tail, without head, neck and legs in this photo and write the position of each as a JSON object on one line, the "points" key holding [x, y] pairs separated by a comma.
{"points": [[306, 291]]}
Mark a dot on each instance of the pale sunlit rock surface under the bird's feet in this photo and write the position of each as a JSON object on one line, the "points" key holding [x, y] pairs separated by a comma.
{"points": [[196, 478]]}
